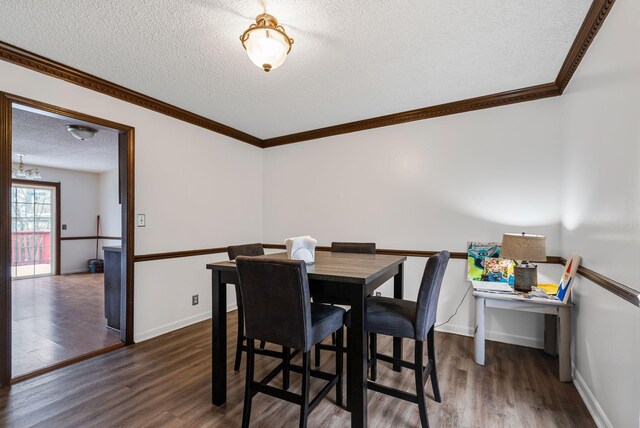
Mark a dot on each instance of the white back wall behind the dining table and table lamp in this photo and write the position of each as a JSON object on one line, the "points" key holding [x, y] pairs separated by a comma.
{"points": [[428, 185]]}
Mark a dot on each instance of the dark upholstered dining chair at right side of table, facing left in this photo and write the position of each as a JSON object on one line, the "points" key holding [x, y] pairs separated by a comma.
{"points": [[411, 320]]}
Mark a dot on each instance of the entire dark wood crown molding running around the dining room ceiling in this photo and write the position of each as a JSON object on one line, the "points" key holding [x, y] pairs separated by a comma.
{"points": [[592, 23]]}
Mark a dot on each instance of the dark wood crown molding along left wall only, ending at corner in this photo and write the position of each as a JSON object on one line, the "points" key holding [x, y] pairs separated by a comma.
{"points": [[35, 62]]}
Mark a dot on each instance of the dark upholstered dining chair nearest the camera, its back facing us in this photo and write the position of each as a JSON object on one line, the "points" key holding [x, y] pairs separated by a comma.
{"points": [[291, 321]]}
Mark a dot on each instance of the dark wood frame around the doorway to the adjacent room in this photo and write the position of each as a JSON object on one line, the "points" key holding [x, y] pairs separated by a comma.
{"points": [[126, 166]]}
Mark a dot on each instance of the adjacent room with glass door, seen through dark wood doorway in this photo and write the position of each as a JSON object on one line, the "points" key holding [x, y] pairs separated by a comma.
{"points": [[65, 211]]}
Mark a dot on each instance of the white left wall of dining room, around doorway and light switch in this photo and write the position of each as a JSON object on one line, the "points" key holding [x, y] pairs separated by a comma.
{"points": [[185, 184]]}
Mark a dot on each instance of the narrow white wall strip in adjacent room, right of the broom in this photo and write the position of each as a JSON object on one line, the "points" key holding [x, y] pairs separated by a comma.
{"points": [[109, 208]]}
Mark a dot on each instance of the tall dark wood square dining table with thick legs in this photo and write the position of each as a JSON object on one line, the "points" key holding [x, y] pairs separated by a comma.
{"points": [[344, 278]]}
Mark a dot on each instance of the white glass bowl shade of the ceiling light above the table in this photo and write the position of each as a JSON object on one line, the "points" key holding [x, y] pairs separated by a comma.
{"points": [[267, 48]]}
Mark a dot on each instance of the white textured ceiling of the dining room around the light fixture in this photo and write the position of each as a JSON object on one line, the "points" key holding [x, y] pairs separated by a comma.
{"points": [[351, 60]]}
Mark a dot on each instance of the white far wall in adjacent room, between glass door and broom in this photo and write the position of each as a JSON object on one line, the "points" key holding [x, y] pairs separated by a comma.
{"points": [[78, 210]]}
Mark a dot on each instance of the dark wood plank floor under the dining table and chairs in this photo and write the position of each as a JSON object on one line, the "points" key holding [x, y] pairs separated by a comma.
{"points": [[165, 382]]}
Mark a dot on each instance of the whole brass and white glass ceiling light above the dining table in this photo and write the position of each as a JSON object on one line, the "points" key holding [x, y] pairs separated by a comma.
{"points": [[266, 42]]}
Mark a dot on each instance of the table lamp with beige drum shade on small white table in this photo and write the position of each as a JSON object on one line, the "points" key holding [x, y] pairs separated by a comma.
{"points": [[524, 249]]}
